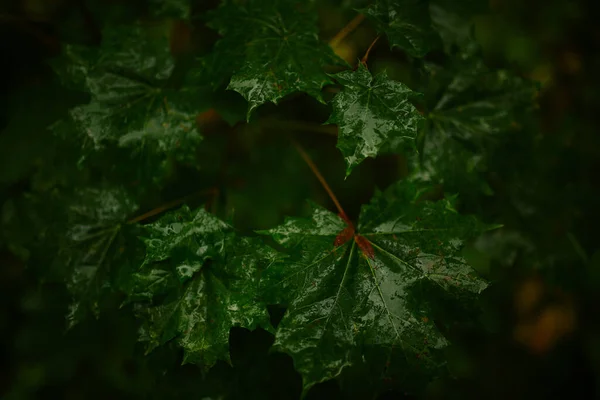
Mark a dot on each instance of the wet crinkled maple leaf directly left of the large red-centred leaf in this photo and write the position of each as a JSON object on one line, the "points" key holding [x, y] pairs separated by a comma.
{"points": [[207, 277]]}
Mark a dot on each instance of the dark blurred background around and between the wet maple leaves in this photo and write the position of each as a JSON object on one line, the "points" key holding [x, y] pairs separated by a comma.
{"points": [[539, 335]]}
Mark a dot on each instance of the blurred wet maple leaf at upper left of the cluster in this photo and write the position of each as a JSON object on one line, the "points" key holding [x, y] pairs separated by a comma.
{"points": [[130, 106]]}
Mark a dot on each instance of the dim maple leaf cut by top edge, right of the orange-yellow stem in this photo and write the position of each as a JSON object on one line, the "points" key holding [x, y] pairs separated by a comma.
{"points": [[406, 23]]}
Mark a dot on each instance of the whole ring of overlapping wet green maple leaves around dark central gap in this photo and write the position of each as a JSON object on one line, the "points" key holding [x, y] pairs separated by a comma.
{"points": [[355, 293]]}
